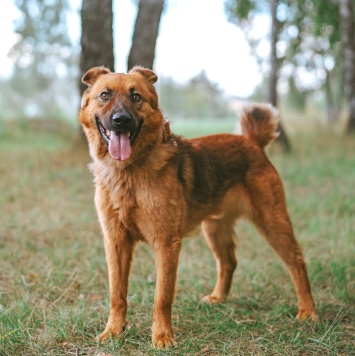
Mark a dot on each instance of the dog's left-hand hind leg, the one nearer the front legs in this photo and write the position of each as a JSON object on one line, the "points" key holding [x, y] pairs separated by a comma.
{"points": [[220, 236]]}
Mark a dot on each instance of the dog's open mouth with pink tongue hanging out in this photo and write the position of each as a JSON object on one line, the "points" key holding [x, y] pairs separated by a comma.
{"points": [[119, 142]]}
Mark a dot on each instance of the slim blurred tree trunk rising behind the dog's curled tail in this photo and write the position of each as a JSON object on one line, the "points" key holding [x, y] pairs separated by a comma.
{"points": [[274, 73]]}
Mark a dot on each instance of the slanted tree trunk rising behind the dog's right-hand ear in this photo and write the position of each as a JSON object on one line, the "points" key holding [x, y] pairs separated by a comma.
{"points": [[145, 34]]}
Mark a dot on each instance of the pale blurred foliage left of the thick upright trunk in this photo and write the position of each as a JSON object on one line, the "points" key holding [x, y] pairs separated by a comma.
{"points": [[45, 62]]}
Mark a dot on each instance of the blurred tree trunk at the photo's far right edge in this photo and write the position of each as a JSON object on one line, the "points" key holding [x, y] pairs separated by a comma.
{"points": [[346, 8]]}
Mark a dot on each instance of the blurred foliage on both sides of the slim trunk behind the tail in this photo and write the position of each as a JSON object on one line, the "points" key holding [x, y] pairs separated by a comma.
{"points": [[308, 45]]}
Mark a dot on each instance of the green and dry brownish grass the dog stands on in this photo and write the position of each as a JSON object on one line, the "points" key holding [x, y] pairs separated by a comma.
{"points": [[53, 279]]}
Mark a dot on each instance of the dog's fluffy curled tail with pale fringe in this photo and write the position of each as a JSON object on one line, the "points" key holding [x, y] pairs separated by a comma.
{"points": [[259, 123]]}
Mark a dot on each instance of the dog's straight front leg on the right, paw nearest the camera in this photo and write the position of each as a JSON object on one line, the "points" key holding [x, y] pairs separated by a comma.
{"points": [[167, 258]]}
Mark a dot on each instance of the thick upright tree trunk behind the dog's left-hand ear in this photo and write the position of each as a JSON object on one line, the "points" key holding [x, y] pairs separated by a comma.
{"points": [[96, 36]]}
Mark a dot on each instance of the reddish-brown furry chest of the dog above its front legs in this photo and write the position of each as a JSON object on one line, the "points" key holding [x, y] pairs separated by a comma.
{"points": [[141, 200]]}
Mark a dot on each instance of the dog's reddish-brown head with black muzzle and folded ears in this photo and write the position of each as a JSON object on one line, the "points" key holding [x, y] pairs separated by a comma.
{"points": [[120, 113]]}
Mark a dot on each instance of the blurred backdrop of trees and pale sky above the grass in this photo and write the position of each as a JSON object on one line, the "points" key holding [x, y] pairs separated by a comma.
{"points": [[210, 57]]}
